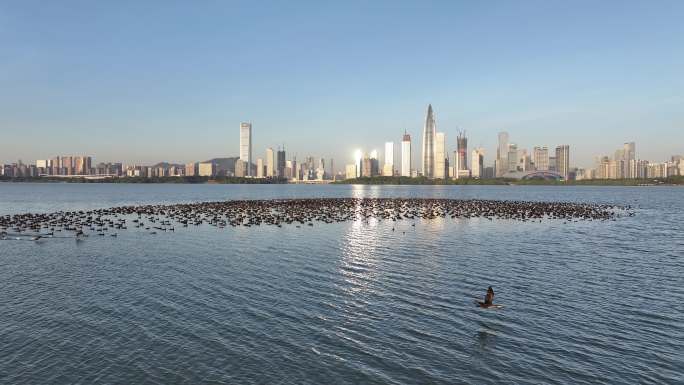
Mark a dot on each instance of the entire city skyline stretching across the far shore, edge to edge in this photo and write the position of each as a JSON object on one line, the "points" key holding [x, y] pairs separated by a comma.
{"points": [[511, 161]]}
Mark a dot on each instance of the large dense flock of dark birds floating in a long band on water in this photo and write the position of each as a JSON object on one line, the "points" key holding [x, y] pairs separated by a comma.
{"points": [[279, 212]]}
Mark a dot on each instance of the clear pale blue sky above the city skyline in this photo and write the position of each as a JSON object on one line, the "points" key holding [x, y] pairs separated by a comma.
{"points": [[144, 81]]}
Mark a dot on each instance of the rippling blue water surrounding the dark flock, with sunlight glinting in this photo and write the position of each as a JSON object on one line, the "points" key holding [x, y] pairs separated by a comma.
{"points": [[585, 302]]}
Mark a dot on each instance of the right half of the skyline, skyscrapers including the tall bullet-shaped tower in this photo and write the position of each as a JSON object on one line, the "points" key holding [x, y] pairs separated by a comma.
{"points": [[511, 161]]}
